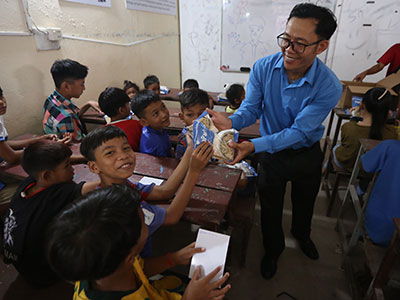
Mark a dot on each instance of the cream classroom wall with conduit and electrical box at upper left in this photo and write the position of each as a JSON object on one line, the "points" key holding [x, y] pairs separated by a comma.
{"points": [[25, 77]]}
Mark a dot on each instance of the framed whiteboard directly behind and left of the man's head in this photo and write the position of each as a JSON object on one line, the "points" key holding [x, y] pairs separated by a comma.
{"points": [[250, 27]]}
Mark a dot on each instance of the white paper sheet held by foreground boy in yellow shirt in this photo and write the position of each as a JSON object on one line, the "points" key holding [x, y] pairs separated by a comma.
{"points": [[216, 245]]}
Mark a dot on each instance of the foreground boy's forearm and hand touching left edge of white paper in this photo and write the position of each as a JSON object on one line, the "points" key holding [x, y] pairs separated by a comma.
{"points": [[156, 265]]}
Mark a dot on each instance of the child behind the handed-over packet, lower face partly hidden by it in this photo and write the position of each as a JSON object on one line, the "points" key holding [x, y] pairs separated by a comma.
{"points": [[193, 103]]}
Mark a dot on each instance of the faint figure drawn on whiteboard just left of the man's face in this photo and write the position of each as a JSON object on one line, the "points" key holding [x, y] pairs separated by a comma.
{"points": [[255, 48]]}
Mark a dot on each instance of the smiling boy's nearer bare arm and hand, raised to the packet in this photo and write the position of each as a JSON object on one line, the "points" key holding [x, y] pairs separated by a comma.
{"points": [[199, 160]]}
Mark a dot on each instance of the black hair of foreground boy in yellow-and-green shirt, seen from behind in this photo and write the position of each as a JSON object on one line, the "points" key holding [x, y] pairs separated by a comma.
{"points": [[91, 238]]}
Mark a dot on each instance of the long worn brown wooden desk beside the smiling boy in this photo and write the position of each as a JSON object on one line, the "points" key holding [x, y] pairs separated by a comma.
{"points": [[210, 198]]}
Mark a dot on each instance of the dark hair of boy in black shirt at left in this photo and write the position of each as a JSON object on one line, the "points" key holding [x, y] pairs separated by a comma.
{"points": [[44, 155]]}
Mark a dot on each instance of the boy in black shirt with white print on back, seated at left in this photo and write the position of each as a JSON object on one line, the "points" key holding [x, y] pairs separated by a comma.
{"points": [[38, 199]]}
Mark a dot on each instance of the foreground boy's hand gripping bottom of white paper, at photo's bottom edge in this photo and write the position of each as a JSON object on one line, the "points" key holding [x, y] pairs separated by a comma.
{"points": [[203, 289]]}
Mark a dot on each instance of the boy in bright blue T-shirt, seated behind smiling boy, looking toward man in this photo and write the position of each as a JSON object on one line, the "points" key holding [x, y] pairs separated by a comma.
{"points": [[154, 116]]}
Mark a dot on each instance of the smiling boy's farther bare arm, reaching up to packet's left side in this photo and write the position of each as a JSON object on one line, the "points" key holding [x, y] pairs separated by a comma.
{"points": [[168, 189]]}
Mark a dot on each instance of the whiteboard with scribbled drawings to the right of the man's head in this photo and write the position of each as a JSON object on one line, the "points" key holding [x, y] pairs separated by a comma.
{"points": [[366, 30]]}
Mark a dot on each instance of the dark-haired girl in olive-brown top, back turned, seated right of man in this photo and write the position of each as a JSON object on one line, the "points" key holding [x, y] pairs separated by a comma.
{"points": [[374, 112]]}
